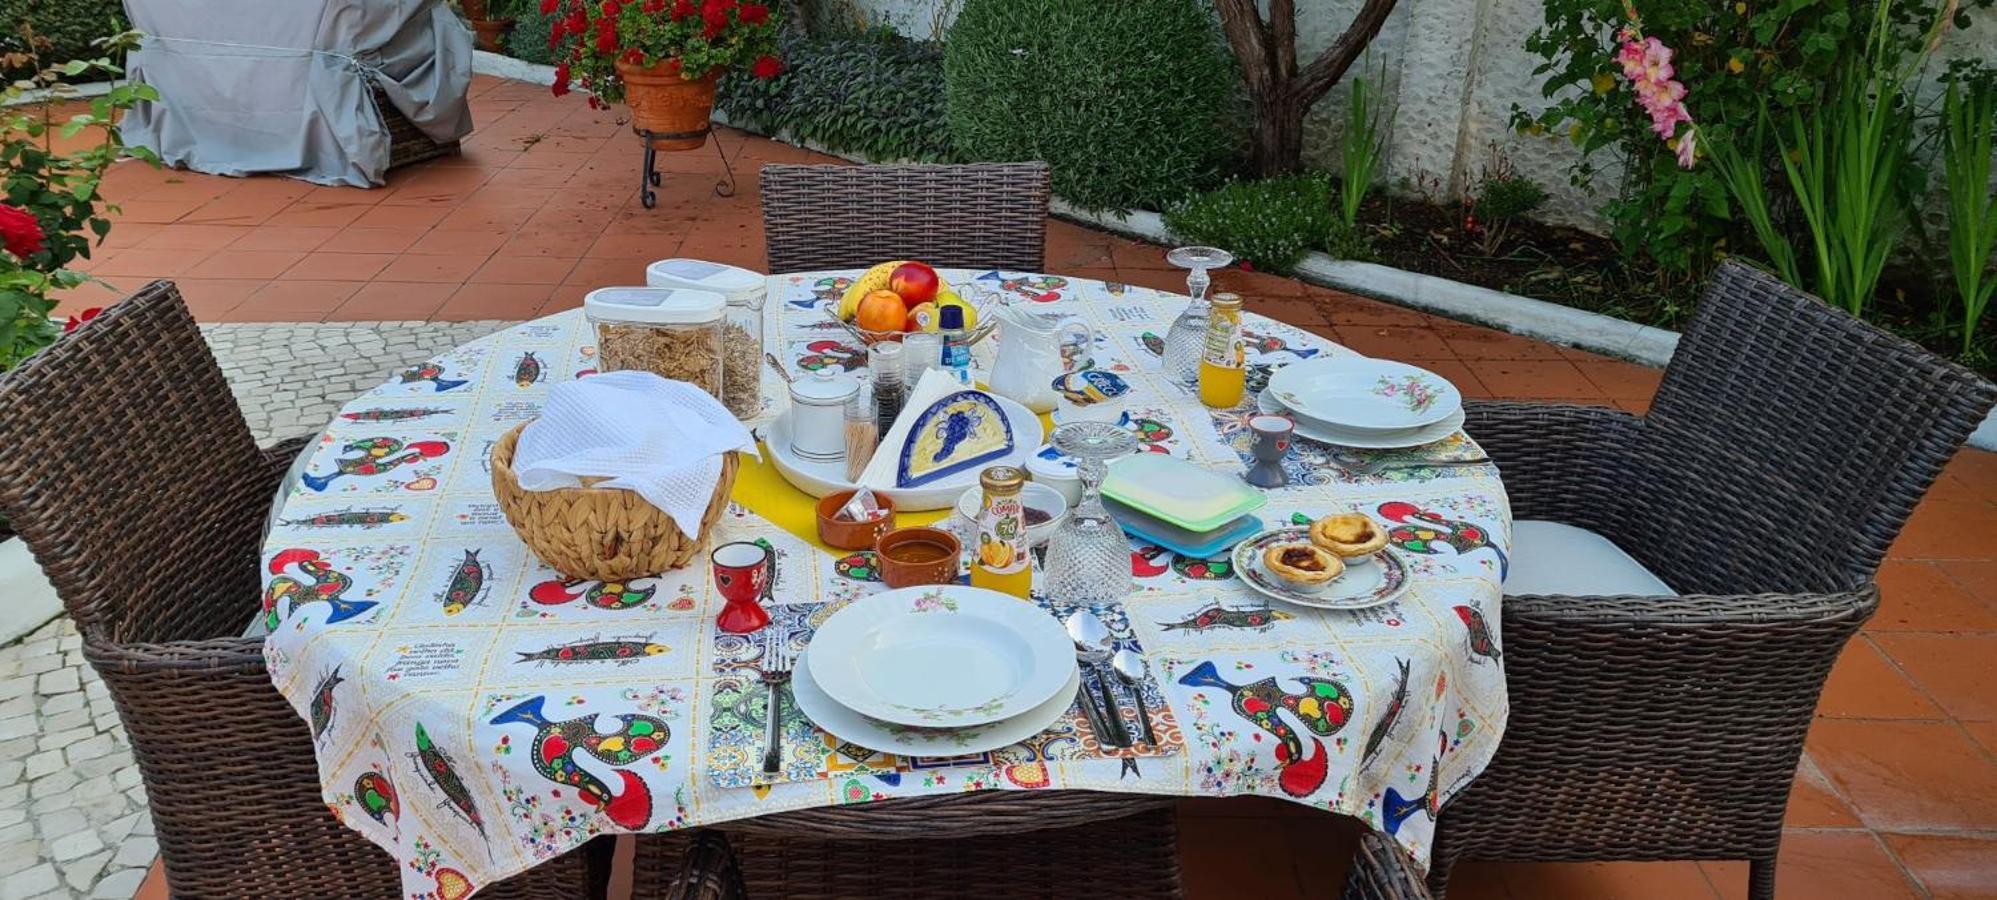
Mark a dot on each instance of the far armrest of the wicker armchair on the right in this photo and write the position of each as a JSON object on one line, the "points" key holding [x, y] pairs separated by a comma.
{"points": [[1559, 462]]}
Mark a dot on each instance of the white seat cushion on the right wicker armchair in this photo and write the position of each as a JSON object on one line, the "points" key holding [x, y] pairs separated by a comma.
{"points": [[1569, 562]]}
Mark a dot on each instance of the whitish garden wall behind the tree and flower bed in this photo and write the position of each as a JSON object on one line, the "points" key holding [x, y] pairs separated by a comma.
{"points": [[1455, 69]]}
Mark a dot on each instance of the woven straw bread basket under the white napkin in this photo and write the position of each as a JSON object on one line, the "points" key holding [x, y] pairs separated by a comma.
{"points": [[602, 534]]}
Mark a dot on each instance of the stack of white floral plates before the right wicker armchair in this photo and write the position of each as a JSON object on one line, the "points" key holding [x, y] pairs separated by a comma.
{"points": [[1373, 404]]}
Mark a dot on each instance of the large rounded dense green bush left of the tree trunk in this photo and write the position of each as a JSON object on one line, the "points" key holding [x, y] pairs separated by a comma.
{"points": [[1129, 103]]}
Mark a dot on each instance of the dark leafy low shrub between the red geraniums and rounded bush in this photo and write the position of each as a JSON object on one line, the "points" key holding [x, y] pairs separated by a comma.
{"points": [[872, 93]]}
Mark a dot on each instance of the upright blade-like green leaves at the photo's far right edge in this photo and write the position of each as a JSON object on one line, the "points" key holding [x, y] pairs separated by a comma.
{"points": [[1968, 117]]}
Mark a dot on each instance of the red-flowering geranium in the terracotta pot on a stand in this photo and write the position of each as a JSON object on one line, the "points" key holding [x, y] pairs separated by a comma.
{"points": [[694, 41]]}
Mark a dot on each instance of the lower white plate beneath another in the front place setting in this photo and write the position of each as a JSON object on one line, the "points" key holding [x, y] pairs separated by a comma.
{"points": [[924, 741]]}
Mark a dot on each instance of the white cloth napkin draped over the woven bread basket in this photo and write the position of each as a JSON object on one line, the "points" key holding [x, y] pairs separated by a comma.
{"points": [[638, 430]]}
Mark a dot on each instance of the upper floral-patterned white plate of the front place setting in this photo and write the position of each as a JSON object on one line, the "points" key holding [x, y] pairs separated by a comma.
{"points": [[942, 658]]}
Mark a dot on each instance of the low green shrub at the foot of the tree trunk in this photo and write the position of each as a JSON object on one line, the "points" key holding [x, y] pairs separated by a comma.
{"points": [[1271, 225]]}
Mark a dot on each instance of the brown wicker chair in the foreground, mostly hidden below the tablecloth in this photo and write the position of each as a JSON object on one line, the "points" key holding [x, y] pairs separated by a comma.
{"points": [[998, 845]]}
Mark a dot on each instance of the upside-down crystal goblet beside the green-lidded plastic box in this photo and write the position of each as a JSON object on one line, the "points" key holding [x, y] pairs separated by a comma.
{"points": [[1089, 556]]}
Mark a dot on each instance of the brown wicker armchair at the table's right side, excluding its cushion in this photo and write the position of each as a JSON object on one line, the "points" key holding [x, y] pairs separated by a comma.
{"points": [[1784, 452]]}
